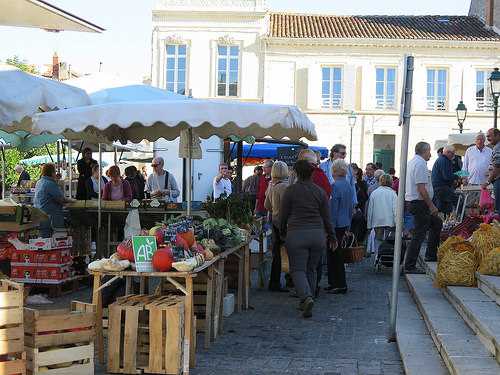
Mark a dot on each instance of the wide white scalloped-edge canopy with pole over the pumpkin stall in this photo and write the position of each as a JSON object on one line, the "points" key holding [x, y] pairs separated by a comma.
{"points": [[151, 120]]}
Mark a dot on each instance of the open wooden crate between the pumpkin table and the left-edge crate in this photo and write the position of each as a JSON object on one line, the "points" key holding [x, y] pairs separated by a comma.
{"points": [[60, 342]]}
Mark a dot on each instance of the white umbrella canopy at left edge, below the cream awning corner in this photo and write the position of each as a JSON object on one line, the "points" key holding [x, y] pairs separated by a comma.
{"points": [[23, 94]]}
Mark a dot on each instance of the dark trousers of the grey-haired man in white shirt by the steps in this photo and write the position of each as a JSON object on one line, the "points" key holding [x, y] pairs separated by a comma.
{"points": [[424, 222]]}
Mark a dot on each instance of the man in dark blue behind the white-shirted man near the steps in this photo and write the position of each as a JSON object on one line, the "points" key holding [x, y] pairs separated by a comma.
{"points": [[443, 180]]}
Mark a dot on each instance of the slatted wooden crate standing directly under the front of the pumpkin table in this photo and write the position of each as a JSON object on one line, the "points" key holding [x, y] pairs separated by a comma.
{"points": [[146, 333]]}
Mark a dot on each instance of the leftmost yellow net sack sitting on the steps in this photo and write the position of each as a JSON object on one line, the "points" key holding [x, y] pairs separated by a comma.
{"points": [[457, 266]]}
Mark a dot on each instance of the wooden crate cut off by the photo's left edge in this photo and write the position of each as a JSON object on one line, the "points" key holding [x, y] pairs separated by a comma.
{"points": [[12, 355]]}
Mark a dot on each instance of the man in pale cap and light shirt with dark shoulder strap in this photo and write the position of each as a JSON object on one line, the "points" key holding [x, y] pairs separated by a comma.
{"points": [[161, 184]]}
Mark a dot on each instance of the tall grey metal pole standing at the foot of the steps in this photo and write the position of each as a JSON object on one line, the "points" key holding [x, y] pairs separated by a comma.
{"points": [[408, 85]]}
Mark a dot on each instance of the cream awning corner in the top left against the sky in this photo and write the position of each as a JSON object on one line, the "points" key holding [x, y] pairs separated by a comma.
{"points": [[42, 15]]}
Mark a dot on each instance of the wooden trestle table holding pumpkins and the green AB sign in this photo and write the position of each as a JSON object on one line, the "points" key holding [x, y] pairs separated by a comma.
{"points": [[183, 282]]}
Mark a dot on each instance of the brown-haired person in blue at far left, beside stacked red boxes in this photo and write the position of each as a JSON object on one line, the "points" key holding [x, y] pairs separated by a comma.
{"points": [[50, 199]]}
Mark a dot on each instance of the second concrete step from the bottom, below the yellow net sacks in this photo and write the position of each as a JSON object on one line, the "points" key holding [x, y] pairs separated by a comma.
{"points": [[461, 350]]}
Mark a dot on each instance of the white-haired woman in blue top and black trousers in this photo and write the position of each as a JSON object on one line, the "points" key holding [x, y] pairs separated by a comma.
{"points": [[341, 208]]}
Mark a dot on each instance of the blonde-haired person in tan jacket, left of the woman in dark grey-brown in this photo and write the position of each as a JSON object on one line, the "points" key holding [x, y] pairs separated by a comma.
{"points": [[272, 203]]}
